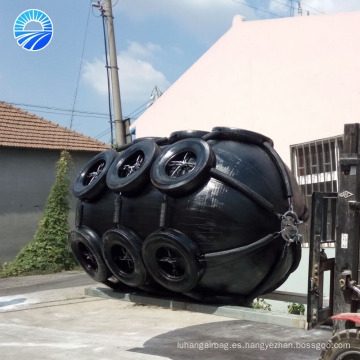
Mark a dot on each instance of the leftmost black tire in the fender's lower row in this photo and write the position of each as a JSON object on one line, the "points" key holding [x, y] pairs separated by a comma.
{"points": [[85, 245]]}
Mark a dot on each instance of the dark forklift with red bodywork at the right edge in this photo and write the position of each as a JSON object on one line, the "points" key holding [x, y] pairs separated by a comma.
{"points": [[339, 214]]}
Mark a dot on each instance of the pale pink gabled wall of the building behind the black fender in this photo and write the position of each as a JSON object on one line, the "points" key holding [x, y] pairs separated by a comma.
{"points": [[292, 79]]}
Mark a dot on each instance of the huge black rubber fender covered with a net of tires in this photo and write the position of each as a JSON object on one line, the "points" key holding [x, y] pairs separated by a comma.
{"points": [[198, 213]]}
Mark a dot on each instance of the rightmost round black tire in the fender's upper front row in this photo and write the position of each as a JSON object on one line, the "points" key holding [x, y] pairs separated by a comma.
{"points": [[183, 167]]}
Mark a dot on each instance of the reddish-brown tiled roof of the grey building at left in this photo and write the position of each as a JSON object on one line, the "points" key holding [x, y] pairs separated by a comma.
{"points": [[19, 128]]}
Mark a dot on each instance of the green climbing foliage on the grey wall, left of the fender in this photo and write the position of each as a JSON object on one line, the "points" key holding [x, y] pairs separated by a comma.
{"points": [[48, 251]]}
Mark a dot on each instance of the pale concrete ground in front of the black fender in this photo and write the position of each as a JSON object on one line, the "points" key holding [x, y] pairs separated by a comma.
{"points": [[62, 323]]}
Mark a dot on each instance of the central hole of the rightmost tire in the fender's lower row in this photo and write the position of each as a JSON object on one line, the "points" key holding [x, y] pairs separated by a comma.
{"points": [[171, 262]]}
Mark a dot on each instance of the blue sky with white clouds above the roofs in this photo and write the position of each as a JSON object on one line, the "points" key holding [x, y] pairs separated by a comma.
{"points": [[156, 42]]}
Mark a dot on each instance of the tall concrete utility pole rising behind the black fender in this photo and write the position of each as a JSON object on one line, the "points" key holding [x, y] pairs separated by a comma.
{"points": [[119, 128]]}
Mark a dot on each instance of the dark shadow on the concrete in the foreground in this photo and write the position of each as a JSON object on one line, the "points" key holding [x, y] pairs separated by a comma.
{"points": [[237, 339]]}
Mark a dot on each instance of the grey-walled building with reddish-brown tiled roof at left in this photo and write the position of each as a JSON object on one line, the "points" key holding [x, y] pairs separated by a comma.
{"points": [[29, 148]]}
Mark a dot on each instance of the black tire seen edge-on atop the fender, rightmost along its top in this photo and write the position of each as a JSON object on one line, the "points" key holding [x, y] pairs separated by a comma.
{"points": [[240, 135]]}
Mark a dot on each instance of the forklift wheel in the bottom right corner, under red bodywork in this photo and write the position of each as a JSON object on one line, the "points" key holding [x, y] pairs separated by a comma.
{"points": [[343, 346]]}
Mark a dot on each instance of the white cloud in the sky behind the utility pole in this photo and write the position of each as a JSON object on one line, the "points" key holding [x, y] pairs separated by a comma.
{"points": [[137, 75]]}
